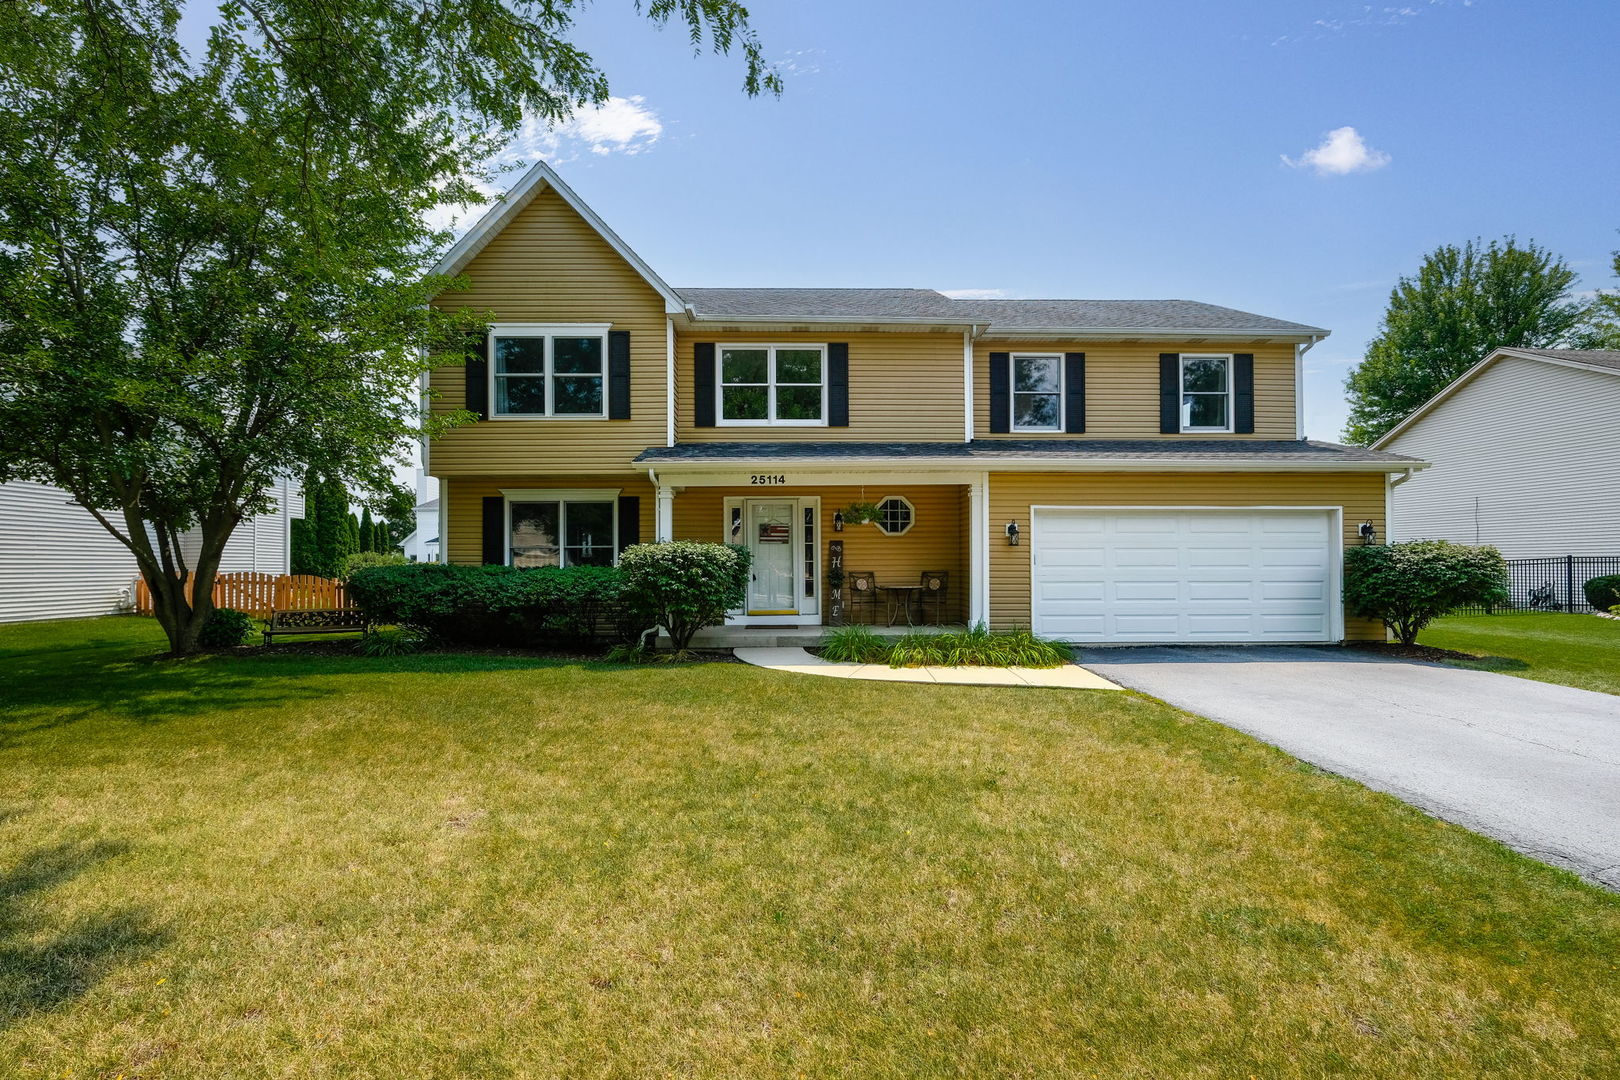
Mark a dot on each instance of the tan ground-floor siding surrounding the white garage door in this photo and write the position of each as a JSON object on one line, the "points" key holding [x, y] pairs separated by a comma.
{"points": [[1013, 495]]}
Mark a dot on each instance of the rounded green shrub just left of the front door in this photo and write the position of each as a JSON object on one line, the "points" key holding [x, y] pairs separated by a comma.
{"points": [[684, 585]]}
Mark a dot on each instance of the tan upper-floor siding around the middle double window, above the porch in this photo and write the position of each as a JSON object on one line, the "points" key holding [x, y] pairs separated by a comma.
{"points": [[902, 388]]}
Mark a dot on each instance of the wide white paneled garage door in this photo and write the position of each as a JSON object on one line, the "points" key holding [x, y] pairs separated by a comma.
{"points": [[1185, 576]]}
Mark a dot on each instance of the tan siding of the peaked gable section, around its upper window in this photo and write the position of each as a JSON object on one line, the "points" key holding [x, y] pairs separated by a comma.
{"points": [[550, 266]]}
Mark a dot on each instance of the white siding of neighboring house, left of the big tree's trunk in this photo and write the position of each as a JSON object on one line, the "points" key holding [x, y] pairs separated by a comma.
{"points": [[56, 559]]}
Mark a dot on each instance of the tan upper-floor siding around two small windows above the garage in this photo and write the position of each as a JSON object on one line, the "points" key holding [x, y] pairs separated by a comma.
{"points": [[1122, 388]]}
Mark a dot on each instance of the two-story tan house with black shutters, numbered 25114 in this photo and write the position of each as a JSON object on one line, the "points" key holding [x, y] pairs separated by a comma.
{"points": [[1146, 456]]}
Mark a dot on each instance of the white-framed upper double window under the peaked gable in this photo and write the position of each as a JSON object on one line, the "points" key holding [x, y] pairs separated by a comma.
{"points": [[550, 370]]}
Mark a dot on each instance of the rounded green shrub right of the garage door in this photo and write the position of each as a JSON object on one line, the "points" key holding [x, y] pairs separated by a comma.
{"points": [[1409, 585]]}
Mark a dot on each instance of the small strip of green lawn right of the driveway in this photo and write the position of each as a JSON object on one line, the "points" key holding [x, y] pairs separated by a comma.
{"points": [[1572, 650]]}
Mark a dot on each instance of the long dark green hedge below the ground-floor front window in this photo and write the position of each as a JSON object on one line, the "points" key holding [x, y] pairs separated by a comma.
{"points": [[503, 606]]}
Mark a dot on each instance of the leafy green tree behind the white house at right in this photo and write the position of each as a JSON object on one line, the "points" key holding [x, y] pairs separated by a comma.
{"points": [[1462, 305]]}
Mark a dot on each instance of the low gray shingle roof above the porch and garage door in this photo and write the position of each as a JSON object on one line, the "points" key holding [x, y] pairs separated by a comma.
{"points": [[989, 451]]}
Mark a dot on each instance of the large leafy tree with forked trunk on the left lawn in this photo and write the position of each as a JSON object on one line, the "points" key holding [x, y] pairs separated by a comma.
{"points": [[215, 268]]}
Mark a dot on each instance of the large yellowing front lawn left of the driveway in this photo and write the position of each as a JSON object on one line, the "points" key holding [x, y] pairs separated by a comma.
{"points": [[495, 867]]}
